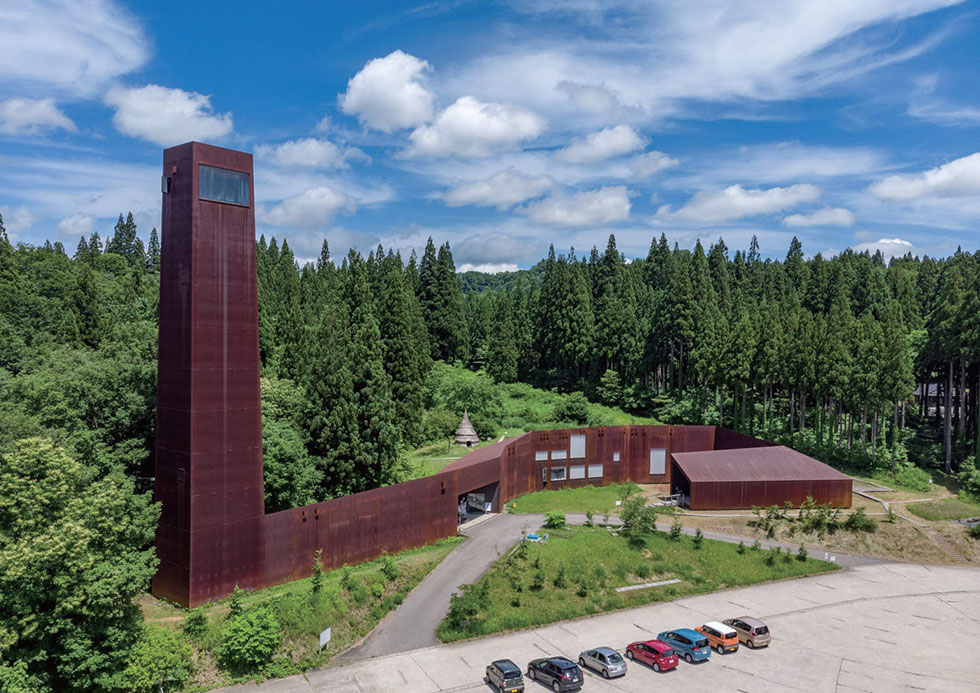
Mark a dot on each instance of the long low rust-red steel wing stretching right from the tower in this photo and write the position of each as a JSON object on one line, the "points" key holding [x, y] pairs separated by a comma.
{"points": [[362, 526]]}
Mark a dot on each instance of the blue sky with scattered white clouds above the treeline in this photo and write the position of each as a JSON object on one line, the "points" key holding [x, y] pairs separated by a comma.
{"points": [[505, 127]]}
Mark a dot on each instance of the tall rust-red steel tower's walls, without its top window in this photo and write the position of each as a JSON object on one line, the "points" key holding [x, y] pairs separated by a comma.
{"points": [[209, 436]]}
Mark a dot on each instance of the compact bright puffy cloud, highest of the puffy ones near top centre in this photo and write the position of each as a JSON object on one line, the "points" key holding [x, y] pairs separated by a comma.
{"points": [[389, 94]]}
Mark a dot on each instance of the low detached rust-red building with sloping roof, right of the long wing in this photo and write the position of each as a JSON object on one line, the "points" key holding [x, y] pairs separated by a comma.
{"points": [[755, 476]]}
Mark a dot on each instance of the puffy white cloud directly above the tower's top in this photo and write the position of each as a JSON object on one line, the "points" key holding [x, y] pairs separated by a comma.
{"points": [[166, 116]]}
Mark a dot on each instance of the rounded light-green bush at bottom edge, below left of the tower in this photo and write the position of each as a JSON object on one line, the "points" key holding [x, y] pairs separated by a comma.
{"points": [[160, 661]]}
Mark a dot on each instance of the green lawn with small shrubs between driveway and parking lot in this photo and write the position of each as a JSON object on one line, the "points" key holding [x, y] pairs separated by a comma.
{"points": [[576, 572]]}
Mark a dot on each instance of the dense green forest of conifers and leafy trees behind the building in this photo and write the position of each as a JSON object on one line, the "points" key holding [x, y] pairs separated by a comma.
{"points": [[828, 355]]}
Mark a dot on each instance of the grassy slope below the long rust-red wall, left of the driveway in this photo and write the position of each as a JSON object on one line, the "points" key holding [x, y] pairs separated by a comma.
{"points": [[351, 612]]}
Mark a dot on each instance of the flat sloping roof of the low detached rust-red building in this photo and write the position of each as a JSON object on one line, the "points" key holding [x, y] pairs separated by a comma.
{"points": [[776, 463]]}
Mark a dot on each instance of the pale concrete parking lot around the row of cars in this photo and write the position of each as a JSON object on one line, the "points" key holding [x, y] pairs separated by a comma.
{"points": [[887, 627]]}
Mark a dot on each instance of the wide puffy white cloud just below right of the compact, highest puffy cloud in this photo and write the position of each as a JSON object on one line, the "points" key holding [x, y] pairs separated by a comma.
{"points": [[470, 128]]}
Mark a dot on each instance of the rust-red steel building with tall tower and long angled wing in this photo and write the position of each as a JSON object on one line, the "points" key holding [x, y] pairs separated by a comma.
{"points": [[213, 532]]}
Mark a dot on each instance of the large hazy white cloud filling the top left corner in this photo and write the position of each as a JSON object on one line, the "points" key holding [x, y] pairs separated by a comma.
{"points": [[72, 47]]}
